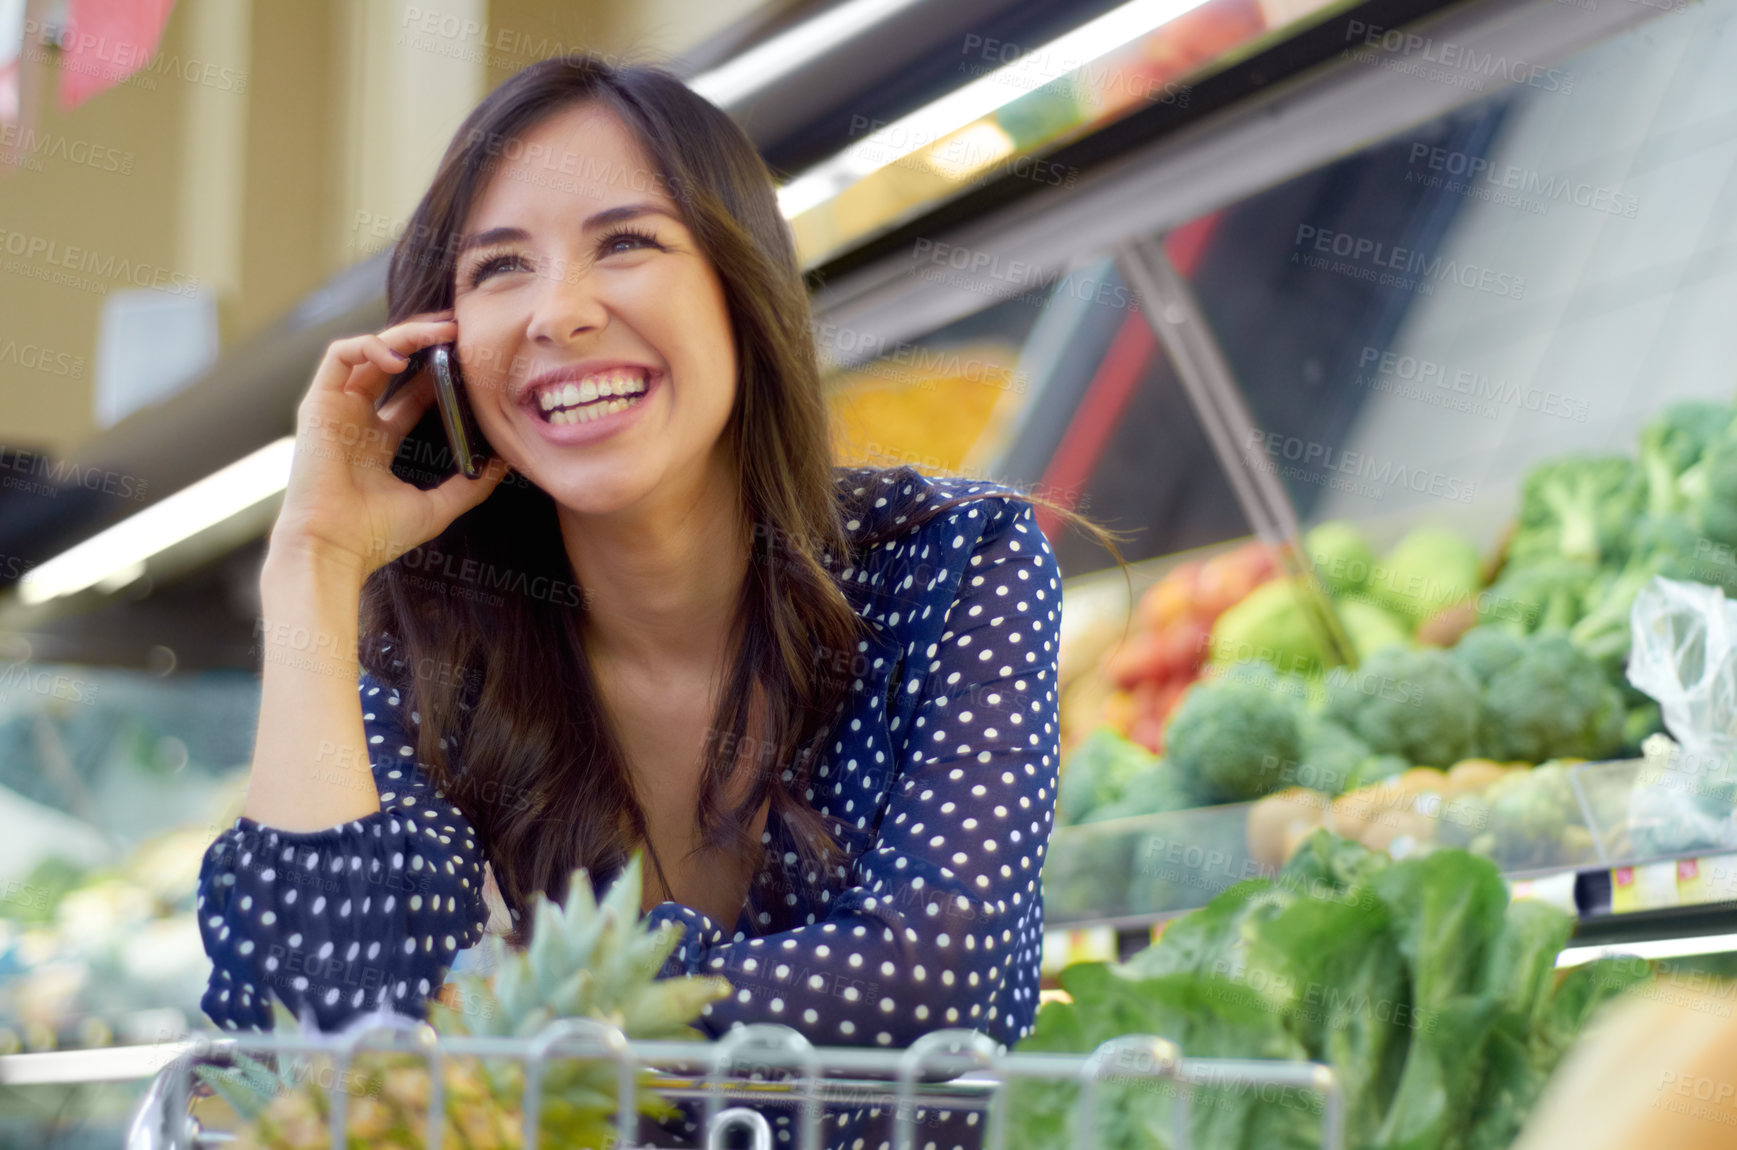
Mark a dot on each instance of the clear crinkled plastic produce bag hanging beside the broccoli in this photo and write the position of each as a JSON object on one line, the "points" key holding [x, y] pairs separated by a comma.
{"points": [[1686, 658]]}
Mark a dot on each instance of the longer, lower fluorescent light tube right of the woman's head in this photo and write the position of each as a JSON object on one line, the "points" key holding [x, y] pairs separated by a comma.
{"points": [[981, 98]]}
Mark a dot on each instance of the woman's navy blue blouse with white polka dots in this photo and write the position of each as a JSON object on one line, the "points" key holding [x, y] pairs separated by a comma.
{"points": [[939, 786]]}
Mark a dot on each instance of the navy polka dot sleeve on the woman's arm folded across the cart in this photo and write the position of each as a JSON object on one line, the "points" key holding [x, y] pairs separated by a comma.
{"points": [[942, 920]]}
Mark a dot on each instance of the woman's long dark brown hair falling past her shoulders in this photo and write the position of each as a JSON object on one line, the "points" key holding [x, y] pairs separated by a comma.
{"points": [[505, 678]]}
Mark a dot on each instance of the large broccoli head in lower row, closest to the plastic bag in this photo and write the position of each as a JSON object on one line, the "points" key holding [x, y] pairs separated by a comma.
{"points": [[1552, 703]]}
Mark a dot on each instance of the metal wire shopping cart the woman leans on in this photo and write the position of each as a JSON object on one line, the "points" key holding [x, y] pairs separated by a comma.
{"points": [[953, 1069]]}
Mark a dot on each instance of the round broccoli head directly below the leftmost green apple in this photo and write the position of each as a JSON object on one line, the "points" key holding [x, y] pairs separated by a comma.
{"points": [[1232, 736]]}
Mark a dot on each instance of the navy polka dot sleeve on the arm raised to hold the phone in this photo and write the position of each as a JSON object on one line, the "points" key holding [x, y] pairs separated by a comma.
{"points": [[353, 918]]}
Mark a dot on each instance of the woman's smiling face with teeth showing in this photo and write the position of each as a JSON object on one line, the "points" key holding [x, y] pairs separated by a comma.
{"points": [[593, 333]]}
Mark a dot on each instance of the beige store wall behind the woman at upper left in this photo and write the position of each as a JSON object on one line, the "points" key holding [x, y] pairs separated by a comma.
{"points": [[267, 178]]}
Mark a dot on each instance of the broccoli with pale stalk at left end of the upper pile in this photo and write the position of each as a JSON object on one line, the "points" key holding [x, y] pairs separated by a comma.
{"points": [[1578, 508]]}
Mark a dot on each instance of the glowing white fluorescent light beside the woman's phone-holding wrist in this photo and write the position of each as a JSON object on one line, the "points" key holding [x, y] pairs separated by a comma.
{"points": [[117, 557]]}
